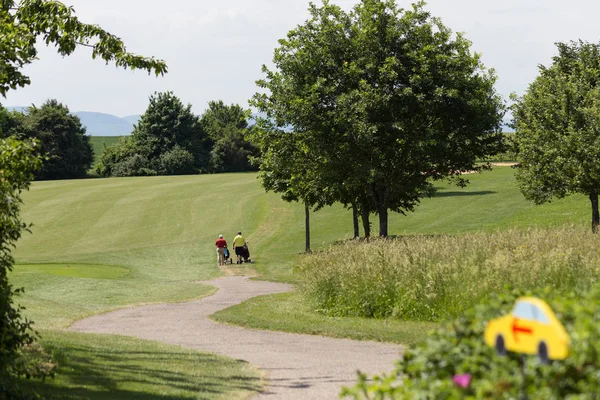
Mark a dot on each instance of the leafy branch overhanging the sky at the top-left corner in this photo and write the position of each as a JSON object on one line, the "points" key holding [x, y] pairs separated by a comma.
{"points": [[22, 24]]}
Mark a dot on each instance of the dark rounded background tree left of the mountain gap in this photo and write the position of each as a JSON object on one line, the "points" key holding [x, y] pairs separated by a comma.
{"points": [[63, 142]]}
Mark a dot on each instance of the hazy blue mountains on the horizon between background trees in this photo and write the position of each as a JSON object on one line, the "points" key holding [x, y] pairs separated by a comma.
{"points": [[100, 124]]}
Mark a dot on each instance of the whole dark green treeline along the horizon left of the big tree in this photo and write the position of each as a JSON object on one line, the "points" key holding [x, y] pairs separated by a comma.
{"points": [[168, 140]]}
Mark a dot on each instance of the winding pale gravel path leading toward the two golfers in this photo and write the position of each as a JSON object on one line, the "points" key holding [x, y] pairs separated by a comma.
{"points": [[297, 366]]}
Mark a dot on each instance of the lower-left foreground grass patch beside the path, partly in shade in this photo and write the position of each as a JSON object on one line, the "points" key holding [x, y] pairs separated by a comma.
{"points": [[107, 367]]}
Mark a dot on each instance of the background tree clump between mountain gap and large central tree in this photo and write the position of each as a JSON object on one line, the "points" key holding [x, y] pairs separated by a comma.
{"points": [[171, 140]]}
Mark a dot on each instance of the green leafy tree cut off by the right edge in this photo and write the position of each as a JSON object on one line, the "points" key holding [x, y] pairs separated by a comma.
{"points": [[557, 124]]}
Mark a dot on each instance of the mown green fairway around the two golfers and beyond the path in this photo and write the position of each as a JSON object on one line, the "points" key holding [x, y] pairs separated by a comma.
{"points": [[102, 244]]}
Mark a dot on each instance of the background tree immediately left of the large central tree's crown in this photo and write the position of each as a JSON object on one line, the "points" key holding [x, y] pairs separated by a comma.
{"points": [[227, 127]]}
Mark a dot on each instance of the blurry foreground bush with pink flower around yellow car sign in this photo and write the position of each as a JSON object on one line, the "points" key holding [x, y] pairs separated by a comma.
{"points": [[426, 372]]}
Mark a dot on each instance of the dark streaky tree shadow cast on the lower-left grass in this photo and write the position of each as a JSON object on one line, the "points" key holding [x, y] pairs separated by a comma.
{"points": [[97, 374]]}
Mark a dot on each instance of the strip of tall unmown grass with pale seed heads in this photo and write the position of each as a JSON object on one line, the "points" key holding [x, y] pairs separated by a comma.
{"points": [[432, 278]]}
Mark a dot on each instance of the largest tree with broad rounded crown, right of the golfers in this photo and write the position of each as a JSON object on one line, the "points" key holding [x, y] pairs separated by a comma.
{"points": [[389, 100]]}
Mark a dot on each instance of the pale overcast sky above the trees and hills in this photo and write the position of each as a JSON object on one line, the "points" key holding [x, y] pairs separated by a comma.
{"points": [[215, 49]]}
